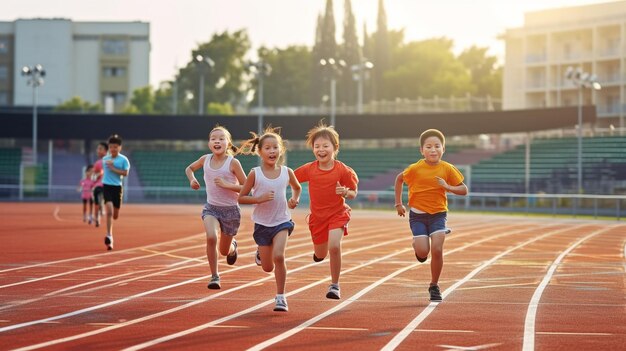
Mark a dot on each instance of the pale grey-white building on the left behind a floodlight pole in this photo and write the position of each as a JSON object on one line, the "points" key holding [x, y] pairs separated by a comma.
{"points": [[92, 60]]}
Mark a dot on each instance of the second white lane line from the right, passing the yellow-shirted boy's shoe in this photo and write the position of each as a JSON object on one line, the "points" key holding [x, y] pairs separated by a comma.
{"points": [[395, 342]]}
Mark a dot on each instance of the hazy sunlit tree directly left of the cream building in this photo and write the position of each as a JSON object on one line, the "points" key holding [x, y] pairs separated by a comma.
{"points": [[485, 75]]}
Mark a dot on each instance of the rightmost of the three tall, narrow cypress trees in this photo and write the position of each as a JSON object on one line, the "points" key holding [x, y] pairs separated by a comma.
{"points": [[381, 53]]}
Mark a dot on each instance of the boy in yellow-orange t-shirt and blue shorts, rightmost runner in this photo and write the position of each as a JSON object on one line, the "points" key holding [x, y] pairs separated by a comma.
{"points": [[428, 181]]}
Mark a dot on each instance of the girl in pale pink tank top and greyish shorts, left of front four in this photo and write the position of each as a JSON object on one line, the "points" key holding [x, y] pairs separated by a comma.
{"points": [[223, 177]]}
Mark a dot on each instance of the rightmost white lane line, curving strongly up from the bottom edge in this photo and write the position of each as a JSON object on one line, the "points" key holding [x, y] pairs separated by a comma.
{"points": [[531, 313]]}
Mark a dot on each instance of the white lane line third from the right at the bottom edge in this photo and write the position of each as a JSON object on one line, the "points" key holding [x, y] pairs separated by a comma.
{"points": [[321, 316]]}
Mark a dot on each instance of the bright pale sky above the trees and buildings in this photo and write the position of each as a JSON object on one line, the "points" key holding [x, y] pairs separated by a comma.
{"points": [[177, 27]]}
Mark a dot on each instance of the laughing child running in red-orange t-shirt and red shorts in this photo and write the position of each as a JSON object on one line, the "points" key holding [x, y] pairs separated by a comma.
{"points": [[330, 183]]}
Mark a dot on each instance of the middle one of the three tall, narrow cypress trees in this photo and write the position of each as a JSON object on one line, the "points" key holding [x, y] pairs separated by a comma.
{"points": [[351, 54]]}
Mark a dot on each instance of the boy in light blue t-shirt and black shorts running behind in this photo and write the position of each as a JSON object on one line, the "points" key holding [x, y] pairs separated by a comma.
{"points": [[116, 167]]}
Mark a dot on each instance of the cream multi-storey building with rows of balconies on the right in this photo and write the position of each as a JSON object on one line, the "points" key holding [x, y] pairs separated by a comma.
{"points": [[592, 37]]}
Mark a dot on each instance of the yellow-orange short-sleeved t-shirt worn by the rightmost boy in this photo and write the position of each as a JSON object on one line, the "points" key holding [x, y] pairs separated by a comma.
{"points": [[425, 194]]}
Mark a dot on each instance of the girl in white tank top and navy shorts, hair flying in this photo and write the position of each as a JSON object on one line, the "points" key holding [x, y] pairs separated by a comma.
{"points": [[272, 220]]}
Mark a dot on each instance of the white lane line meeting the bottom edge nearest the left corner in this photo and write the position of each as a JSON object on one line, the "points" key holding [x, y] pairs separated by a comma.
{"points": [[196, 302]]}
